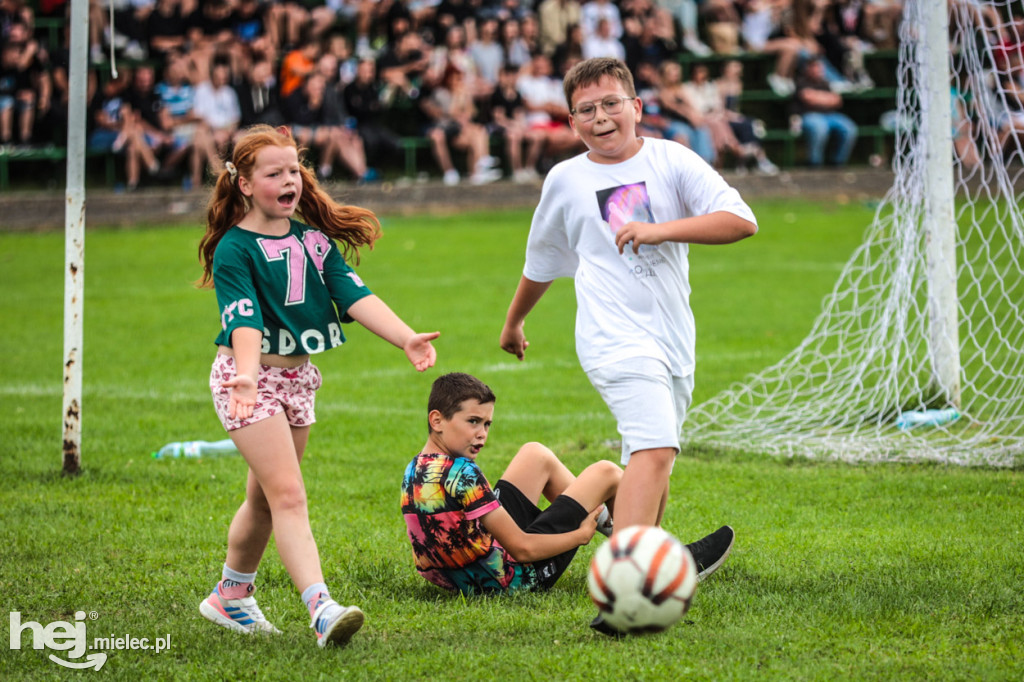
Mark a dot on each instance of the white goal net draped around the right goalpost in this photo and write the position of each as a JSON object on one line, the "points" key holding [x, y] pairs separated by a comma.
{"points": [[909, 327]]}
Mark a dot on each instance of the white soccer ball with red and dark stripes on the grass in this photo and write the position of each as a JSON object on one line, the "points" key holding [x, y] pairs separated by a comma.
{"points": [[643, 580]]}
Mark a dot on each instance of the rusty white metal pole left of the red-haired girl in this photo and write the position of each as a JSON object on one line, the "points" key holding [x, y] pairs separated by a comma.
{"points": [[75, 238]]}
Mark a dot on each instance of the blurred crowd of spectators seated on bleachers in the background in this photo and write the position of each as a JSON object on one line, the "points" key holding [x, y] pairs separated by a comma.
{"points": [[478, 81]]}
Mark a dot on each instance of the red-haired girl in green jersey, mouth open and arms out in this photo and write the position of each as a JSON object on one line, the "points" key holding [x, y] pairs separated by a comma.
{"points": [[284, 288]]}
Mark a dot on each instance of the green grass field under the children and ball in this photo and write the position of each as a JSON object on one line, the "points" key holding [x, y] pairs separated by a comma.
{"points": [[839, 573]]}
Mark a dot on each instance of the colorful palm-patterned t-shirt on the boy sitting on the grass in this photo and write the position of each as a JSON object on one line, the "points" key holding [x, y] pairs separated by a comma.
{"points": [[443, 500]]}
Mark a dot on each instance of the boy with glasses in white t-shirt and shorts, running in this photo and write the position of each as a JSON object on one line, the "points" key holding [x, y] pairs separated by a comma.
{"points": [[619, 220]]}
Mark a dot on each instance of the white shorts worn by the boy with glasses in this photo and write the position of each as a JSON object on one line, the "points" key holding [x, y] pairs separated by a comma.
{"points": [[650, 405]]}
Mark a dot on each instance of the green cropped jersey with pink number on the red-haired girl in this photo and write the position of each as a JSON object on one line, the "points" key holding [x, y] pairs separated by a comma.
{"points": [[296, 289]]}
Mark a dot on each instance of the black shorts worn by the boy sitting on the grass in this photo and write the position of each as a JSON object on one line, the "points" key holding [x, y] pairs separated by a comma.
{"points": [[565, 516]]}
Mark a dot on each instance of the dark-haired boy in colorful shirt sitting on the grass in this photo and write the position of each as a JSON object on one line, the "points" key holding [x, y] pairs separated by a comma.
{"points": [[471, 538]]}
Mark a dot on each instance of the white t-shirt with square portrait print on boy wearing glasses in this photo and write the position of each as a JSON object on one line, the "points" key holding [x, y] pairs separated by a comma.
{"points": [[629, 306]]}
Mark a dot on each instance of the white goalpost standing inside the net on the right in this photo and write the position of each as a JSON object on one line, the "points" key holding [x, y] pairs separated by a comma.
{"points": [[941, 229]]}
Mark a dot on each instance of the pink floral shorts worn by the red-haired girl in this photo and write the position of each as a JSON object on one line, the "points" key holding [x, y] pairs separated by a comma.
{"points": [[290, 391]]}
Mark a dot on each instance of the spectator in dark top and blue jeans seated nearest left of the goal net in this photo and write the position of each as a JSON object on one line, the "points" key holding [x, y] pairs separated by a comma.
{"points": [[822, 118]]}
